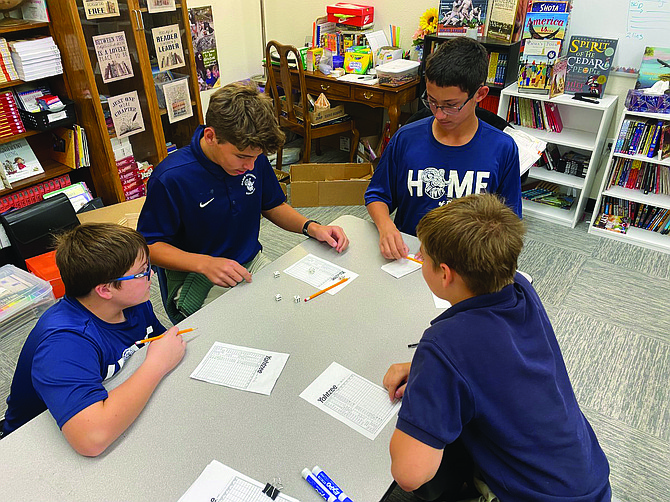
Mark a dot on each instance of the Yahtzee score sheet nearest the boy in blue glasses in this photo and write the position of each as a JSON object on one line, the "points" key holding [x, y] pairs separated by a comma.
{"points": [[241, 368]]}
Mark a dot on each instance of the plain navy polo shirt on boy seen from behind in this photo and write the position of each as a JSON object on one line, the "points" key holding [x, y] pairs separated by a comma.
{"points": [[489, 370]]}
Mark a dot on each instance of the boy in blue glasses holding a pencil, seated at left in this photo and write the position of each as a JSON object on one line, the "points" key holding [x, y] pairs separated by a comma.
{"points": [[87, 337]]}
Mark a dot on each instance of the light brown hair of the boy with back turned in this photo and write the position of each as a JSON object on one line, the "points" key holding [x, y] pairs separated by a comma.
{"points": [[477, 236]]}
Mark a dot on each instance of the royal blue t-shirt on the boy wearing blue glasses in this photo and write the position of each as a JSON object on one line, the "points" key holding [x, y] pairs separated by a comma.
{"points": [[67, 356]]}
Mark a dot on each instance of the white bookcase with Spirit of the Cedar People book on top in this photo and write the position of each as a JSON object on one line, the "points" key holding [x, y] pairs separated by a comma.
{"points": [[585, 127]]}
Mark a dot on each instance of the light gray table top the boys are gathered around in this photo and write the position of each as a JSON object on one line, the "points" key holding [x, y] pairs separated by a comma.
{"points": [[187, 423]]}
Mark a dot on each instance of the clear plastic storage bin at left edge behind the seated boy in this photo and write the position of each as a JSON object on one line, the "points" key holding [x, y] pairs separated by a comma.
{"points": [[23, 299]]}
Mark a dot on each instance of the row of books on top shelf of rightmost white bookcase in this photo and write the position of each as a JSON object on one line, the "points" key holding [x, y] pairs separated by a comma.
{"points": [[644, 137]]}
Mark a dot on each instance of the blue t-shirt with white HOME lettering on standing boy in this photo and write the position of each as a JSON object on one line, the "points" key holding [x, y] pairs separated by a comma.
{"points": [[417, 173]]}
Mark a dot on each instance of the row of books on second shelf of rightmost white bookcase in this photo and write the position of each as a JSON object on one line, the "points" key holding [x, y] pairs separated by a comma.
{"points": [[644, 176]]}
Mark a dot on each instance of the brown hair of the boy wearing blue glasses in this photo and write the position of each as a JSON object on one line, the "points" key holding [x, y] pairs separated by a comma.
{"points": [[97, 253]]}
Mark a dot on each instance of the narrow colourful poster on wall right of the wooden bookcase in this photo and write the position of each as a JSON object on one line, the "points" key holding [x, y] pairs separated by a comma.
{"points": [[204, 47]]}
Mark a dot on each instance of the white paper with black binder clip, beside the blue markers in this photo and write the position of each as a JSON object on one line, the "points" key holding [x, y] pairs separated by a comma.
{"points": [[220, 483]]}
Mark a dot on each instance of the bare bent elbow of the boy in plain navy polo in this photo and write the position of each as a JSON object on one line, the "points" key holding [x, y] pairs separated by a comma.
{"points": [[413, 463]]}
